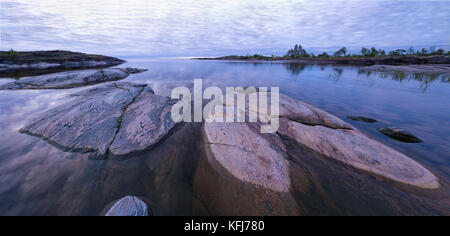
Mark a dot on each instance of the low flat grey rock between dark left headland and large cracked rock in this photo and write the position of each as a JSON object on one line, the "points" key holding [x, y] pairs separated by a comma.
{"points": [[71, 79]]}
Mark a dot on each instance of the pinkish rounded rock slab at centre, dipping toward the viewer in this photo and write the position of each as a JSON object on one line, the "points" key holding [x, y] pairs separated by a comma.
{"points": [[247, 155]]}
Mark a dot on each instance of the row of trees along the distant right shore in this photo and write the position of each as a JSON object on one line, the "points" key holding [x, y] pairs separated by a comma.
{"points": [[299, 52]]}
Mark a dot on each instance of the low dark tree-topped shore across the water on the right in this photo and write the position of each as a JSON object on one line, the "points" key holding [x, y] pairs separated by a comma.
{"points": [[432, 60]]}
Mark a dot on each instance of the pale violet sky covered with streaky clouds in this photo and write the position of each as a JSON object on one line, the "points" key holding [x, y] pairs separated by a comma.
{"points": [[165, 28]]}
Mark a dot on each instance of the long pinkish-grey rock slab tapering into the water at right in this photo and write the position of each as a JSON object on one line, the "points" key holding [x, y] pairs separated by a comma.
{"points": [[358, 150]]}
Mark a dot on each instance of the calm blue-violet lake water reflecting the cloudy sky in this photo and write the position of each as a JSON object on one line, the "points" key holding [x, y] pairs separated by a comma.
{"points": [[39, 179]]}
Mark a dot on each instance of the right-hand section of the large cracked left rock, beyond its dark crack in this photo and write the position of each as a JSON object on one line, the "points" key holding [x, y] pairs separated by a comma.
{"points": [[146, 121]]}
